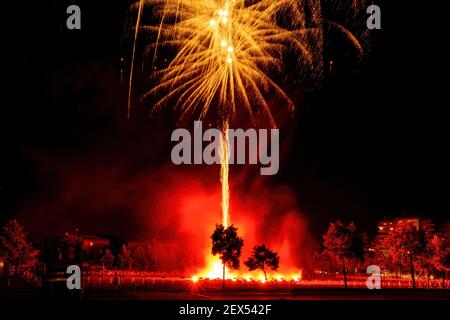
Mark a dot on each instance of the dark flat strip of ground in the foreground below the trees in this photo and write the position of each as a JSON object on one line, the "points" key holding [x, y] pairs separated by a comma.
{"points": [[25, 291]]}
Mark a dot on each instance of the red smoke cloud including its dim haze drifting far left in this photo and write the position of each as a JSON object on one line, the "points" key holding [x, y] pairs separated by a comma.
{"points": [[173, 208]]}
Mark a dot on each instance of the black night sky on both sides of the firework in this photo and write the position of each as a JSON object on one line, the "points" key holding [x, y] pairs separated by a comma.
{"points": [[369, 142]]}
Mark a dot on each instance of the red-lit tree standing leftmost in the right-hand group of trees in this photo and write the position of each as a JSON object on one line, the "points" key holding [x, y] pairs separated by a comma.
{"points": [[342, 243]]}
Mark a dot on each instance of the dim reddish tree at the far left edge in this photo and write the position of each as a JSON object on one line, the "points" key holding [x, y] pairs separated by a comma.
{"points": [[18, 254]]}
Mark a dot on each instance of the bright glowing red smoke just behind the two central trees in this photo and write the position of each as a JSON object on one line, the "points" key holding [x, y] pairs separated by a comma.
{"points": [[186, 208]]}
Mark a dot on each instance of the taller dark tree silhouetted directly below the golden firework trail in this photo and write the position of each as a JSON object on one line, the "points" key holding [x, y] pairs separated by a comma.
{"points": [[228, 245]]}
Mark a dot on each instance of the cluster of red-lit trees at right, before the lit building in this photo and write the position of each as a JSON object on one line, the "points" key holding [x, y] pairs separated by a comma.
{"points": [[405, 248]]}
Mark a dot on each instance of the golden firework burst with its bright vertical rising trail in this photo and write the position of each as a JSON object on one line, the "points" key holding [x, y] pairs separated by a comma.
{"points": [[224, 53]]}
